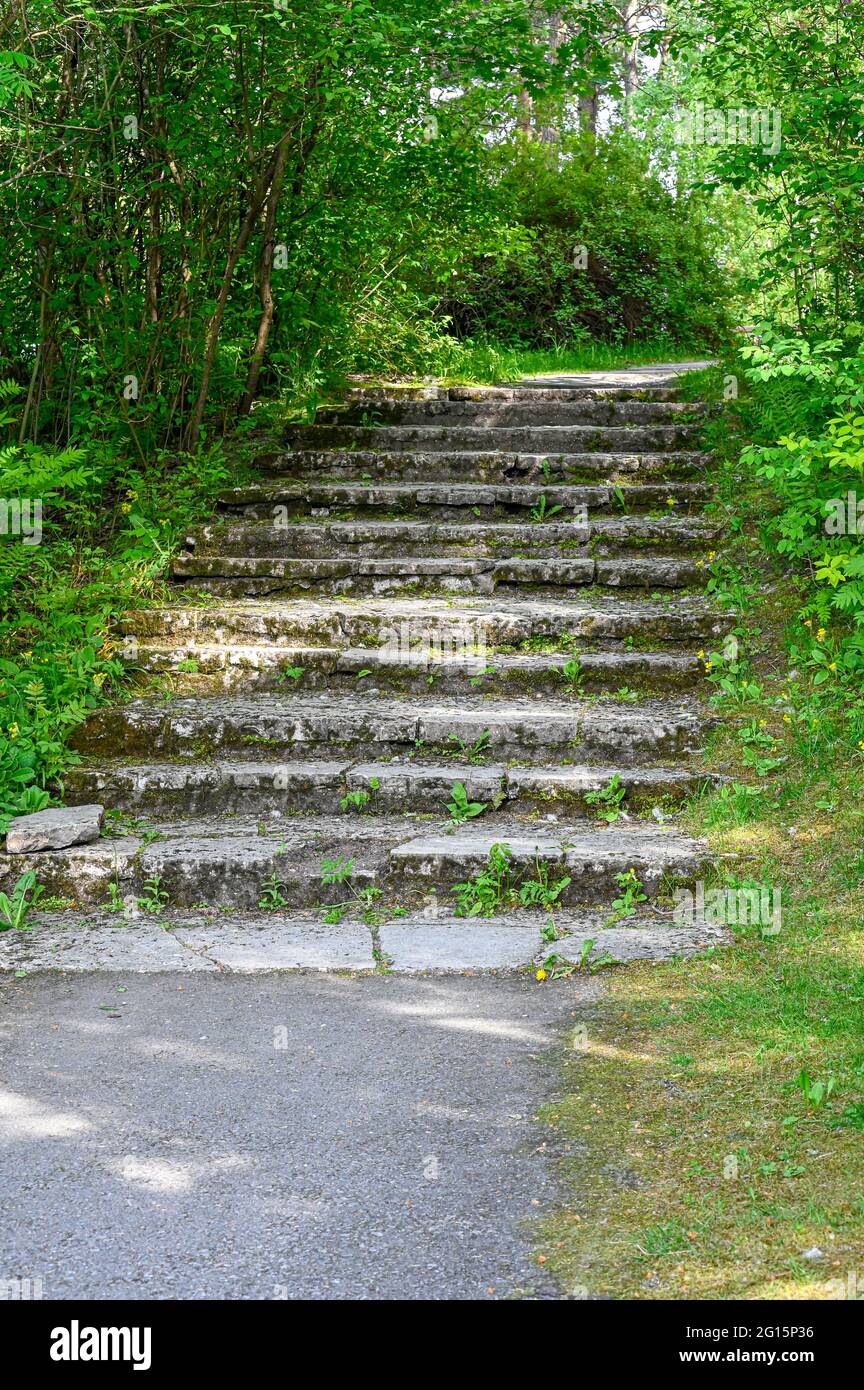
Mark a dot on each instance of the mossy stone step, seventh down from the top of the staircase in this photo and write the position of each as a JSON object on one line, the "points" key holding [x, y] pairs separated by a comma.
{"points": [[237, 576]]}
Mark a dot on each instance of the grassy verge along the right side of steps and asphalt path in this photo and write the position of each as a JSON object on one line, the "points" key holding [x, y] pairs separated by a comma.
{"points": [[716, 1111]]}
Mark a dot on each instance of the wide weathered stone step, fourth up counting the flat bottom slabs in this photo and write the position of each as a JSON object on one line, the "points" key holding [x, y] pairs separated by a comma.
{"points": [[505, 729]]}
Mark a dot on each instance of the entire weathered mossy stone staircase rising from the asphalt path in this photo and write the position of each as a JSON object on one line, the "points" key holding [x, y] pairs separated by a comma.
{"points": [[490, 587]]}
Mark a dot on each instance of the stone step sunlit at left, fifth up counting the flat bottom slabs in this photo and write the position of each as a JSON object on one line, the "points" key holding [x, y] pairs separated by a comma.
{"points": [[212, 668]]}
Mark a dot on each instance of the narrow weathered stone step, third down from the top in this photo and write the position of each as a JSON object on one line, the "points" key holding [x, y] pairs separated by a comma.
{"points": [[519, 439]]}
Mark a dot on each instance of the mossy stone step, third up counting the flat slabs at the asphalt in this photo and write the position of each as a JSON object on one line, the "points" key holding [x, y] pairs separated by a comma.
{"points": [[267, 789]]}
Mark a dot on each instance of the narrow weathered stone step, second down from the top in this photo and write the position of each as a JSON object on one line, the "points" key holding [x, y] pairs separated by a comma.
{"points": [[495, 415]]}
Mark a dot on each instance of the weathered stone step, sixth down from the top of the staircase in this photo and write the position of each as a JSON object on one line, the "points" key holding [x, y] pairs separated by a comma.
{"points": [[420, 539]]}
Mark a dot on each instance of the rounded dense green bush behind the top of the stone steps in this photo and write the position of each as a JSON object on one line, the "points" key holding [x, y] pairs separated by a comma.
{"points": [[651, 268]]}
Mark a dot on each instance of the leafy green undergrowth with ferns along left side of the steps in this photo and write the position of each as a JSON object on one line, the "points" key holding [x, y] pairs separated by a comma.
{"points": [[105, 534]]}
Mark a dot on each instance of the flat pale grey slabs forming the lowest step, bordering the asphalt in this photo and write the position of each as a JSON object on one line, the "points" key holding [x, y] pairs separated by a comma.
{"points": [[427, 942]]}
